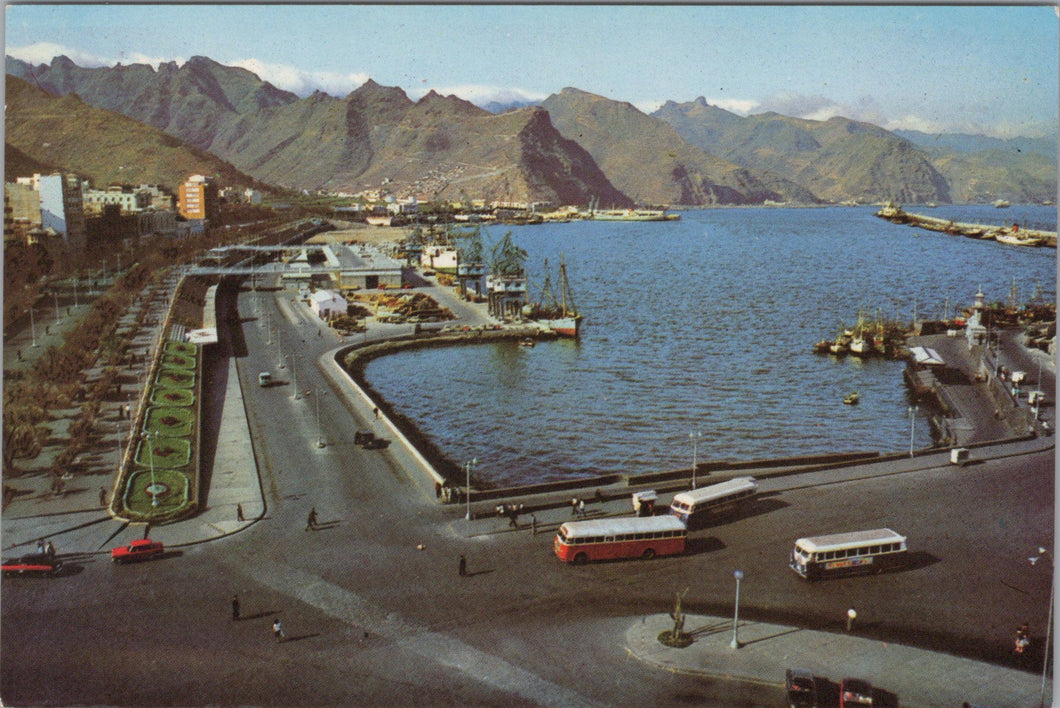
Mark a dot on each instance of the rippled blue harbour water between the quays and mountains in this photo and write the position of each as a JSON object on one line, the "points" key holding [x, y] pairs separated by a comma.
{"points": [[706, 326]]}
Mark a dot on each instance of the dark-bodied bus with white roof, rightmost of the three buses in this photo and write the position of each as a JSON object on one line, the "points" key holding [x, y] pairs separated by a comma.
{"points": [[845, 554]]}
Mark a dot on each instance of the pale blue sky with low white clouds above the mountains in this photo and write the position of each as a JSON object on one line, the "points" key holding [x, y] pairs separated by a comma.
{"points": [[979, 69]]}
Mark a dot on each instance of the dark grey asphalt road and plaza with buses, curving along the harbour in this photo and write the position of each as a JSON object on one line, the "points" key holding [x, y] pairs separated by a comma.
{"points": [[376, 613]]}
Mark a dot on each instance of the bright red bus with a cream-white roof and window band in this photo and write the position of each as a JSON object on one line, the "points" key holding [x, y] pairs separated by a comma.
{"points": [[606, 539]]}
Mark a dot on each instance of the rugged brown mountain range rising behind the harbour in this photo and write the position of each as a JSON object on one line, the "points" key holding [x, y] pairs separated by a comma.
{"points": [[574, 148]]}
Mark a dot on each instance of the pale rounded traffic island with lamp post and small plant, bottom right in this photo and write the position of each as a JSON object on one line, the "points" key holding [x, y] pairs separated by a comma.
{"points": [[902, 676]]}
